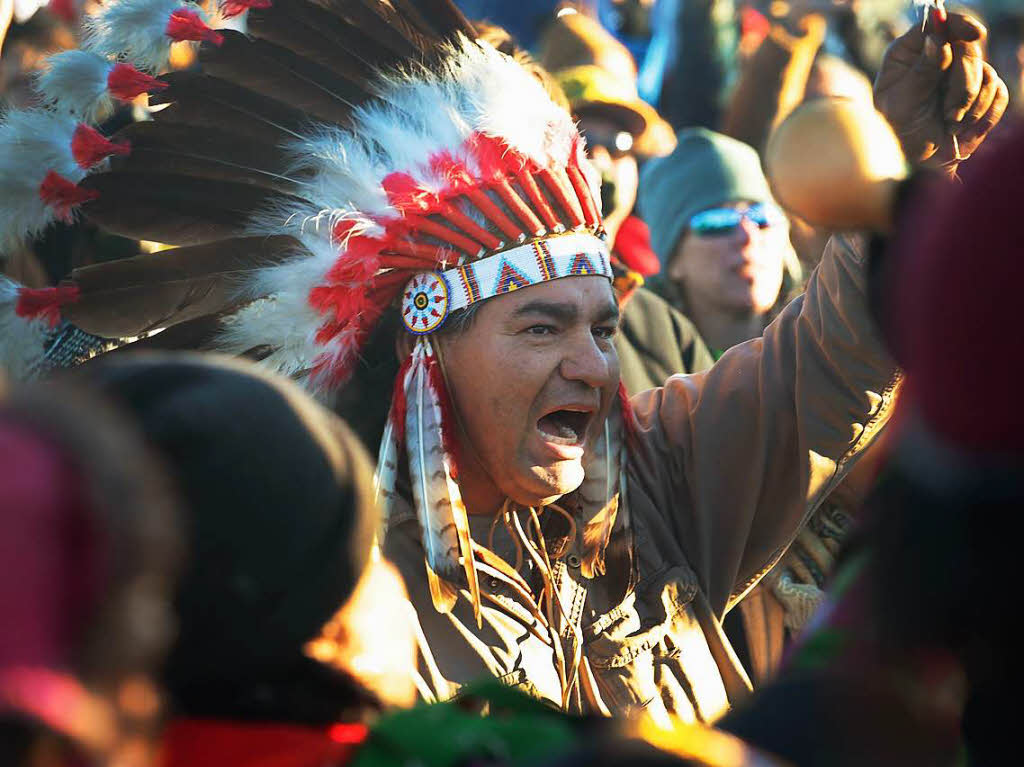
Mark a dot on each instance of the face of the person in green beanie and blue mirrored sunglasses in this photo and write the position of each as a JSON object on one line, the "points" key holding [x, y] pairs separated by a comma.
{"points": [[740, 271]]}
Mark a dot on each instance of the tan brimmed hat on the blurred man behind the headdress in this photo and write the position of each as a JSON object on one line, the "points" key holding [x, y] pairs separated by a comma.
{"points": [[599, 75]]}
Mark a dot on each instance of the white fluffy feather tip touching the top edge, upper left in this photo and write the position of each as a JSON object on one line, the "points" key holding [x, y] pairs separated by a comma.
{"points": [[135, 30]]}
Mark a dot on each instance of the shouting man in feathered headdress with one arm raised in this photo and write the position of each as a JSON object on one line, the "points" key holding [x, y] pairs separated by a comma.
{"points": [[354, 161]]}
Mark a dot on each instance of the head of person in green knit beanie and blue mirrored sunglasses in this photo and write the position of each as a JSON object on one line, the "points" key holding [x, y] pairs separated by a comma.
{"points": [[723, 243]]}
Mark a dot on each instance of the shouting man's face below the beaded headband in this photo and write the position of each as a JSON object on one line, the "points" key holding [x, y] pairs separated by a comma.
{"points": [[533, 378]]}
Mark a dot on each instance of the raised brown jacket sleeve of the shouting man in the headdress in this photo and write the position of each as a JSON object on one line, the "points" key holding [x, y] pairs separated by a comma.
{"points": [[740, 456]]}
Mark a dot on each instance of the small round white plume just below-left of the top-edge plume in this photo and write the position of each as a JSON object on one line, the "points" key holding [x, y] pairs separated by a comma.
{"points": [[75, 82]]}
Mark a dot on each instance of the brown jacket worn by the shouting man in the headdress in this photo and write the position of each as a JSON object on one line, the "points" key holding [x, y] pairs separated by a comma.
{"points": [[731, 463]]}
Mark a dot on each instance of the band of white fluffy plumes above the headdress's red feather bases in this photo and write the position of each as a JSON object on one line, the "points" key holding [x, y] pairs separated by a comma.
{"points": [[419, 114]]}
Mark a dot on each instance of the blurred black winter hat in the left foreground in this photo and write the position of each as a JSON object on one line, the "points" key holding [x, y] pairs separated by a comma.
{"points": [[280, 514]]}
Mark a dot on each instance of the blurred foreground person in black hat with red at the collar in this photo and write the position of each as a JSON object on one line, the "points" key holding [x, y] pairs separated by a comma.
{"points": [[291, 636]]}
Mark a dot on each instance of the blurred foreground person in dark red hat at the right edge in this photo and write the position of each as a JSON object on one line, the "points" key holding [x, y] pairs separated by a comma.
{"points": [[911, 663]]}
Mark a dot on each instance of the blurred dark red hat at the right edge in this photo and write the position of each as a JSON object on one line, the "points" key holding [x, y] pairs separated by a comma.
{"points": [[958, 277]]}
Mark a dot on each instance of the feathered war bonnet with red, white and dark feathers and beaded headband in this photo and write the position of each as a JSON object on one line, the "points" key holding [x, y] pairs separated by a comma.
{"points": [[342, 160]]}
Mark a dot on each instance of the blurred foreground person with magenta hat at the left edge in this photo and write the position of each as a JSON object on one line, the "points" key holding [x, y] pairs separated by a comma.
{"points": [[91, 548]]}
